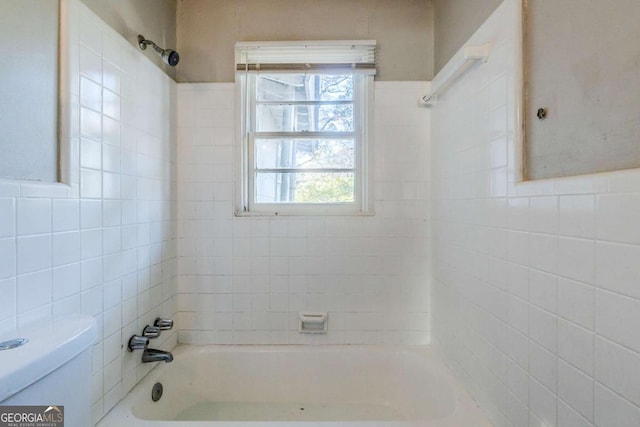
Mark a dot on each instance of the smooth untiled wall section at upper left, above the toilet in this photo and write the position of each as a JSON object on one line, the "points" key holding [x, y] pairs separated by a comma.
{"points": [[29, 46]]}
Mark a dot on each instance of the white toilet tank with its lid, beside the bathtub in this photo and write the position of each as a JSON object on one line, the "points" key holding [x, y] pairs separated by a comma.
{"points": [[53, 368]]}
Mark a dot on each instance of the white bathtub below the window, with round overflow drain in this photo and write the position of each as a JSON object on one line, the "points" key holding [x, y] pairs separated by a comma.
{"points": [[296, 386]]}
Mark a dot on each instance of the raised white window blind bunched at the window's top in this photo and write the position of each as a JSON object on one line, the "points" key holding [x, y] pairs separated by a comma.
{"points": [[344, 55]]}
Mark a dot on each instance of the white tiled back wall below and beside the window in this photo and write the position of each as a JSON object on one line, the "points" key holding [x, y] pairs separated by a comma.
{"points": [[243, 280]]}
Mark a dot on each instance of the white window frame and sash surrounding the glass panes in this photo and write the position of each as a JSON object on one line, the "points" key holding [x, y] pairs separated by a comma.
{"points": [[363, 93]]}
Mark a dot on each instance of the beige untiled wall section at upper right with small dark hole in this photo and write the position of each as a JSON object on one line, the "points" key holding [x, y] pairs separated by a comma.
{"points": [[582, 91]]}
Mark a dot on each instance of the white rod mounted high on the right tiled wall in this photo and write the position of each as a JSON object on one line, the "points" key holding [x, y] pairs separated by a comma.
{"points": [[455, 68]]}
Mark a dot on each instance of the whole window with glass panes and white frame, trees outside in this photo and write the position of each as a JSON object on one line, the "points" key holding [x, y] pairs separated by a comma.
{"points": [[304, 133]]}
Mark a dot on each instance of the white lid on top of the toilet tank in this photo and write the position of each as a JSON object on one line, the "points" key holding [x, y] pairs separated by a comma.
{"points": [[51, 344]]}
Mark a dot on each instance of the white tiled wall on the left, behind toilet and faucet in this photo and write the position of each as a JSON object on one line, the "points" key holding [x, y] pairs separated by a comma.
{"points": [[104, 243]]}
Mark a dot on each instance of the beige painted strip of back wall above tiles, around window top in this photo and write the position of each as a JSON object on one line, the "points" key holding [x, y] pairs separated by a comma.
{"points": [[209, 29]]}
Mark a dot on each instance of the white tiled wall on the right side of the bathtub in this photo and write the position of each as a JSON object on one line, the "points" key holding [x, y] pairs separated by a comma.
{"points": [[535, 296]]}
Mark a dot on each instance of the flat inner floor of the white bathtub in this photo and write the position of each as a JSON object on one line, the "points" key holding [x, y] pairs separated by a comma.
{"points": [[256, 411]]}
